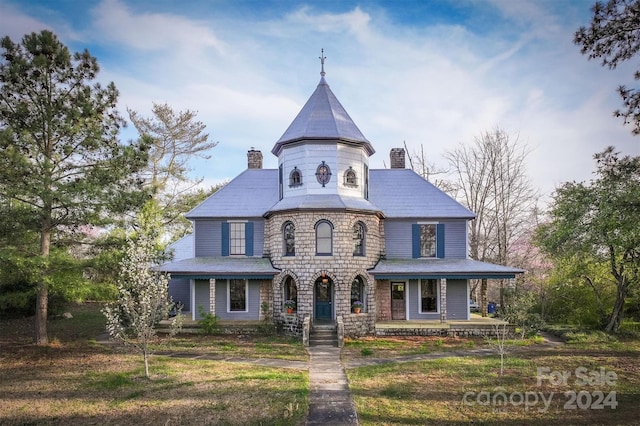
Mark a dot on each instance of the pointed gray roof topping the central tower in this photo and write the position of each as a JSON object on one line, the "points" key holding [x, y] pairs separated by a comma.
{"points": [[323, 117]]}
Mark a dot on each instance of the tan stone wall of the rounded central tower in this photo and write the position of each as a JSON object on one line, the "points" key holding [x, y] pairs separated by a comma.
{"points": [[342, 267]]}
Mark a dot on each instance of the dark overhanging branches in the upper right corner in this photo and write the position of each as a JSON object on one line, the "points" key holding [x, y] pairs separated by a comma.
{"points": [[614, 37]]}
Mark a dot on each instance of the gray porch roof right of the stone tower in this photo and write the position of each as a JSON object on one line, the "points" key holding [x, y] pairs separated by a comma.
{"points": [[441, 268]]}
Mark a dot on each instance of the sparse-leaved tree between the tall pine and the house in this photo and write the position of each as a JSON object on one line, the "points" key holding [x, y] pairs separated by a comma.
{"points": [[175, 138]]}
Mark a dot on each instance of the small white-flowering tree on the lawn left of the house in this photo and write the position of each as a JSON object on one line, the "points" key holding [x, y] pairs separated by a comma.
{"points": [[143, 299]]}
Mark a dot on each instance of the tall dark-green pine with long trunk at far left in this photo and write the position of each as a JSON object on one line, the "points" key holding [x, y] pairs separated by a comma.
{"points": [[62, 167]]}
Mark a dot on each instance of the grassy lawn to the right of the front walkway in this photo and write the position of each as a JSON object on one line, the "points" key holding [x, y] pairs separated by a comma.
{"points": [[464, 390]]}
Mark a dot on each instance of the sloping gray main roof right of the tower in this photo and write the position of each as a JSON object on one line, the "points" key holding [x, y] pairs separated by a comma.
{"points": [[402, 193]]}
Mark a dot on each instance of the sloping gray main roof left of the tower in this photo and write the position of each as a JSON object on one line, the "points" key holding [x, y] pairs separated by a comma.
{"points": [[250, 194]]}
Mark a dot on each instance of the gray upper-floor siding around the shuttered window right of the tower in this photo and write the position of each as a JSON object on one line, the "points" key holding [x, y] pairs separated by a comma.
{"points": [[398, 238]]}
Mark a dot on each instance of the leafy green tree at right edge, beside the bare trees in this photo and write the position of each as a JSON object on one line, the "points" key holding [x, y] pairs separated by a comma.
{"points": [[598, 222]]}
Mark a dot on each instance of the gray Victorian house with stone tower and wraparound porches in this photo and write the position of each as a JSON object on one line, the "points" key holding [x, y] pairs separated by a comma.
{"points": [[328, 235]]}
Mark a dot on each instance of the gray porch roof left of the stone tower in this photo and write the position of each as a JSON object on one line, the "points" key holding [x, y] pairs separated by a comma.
{"points": [[221, 268]]}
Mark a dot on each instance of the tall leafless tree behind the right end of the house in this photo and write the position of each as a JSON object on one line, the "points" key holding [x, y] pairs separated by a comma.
{"points": [[491, 180]]}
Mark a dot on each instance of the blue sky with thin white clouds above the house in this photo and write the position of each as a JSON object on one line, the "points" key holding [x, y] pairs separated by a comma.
{"points": [[431, 73]]}
